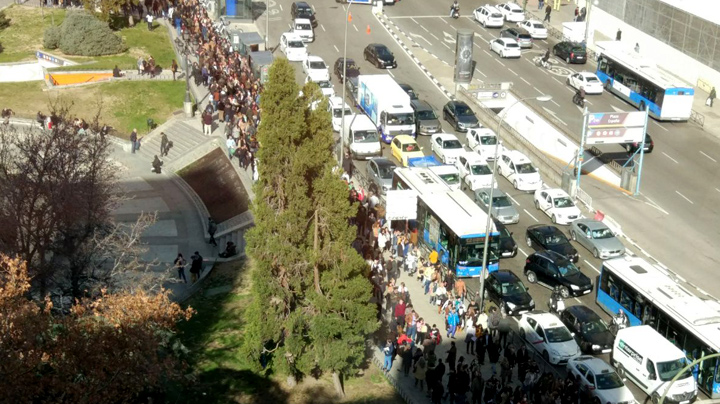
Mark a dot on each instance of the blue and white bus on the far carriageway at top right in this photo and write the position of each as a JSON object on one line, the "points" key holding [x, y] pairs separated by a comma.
{"points": [[641, 83]]}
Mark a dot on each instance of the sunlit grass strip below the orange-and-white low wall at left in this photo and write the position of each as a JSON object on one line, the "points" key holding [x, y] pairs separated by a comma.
{"points": [[125, 104]]}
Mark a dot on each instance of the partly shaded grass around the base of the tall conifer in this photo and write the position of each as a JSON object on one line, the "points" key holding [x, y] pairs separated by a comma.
{"points": [[219, 374]]}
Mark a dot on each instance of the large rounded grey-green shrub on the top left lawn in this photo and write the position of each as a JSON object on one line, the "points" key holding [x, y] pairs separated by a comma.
{"points": [[83, 34]]}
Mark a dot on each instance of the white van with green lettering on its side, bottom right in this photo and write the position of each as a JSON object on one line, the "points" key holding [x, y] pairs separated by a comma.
{"points": [[651, 362]]}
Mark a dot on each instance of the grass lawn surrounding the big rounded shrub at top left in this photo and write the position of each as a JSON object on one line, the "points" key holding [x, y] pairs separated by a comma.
{"points": [[25, 35]]}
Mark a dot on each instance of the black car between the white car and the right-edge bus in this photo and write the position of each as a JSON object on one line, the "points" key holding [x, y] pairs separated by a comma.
{"points": [[590, 331]]}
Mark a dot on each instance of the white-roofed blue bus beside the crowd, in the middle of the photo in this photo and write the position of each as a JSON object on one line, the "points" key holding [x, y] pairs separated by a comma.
{"points": [[449, 222]]}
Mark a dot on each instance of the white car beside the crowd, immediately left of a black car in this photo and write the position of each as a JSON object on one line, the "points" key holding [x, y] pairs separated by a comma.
{"points": [[549, 336]]}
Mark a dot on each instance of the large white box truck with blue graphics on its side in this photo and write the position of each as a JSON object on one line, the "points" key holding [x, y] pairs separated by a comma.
{"points": [[387, 105]]}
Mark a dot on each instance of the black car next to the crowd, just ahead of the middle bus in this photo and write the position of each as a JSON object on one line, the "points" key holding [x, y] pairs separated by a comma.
{"points": [[506, 290]]}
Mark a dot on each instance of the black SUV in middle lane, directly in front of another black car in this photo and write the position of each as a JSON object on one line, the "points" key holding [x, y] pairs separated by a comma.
{"points": [[551, 269]]}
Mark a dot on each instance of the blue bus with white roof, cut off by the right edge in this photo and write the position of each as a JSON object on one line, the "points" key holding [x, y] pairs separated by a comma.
{"points": [[650, 295]]}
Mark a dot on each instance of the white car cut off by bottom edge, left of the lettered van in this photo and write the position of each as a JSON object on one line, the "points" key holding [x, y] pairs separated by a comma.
{"points": [[601, 380]]}
